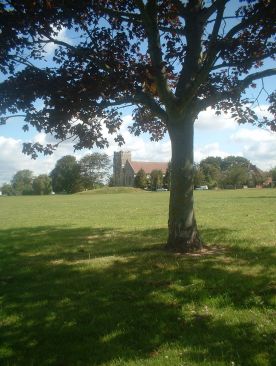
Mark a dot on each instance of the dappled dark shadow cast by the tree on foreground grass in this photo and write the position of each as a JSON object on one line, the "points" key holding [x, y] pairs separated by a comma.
{"points": [[91, 296]]}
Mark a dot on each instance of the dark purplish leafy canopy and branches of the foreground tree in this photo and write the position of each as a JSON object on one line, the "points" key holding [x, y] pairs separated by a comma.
{"points": [[167, 58]]}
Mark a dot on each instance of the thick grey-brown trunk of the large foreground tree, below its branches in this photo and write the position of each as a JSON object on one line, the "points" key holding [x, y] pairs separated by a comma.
{"points": [[183, 233]]}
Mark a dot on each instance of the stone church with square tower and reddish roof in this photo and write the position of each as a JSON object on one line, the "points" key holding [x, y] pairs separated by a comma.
{"points": [[125, 170]]}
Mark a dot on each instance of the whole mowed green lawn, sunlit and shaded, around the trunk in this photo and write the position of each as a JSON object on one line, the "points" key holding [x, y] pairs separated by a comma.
{"points": [[84, 280]]}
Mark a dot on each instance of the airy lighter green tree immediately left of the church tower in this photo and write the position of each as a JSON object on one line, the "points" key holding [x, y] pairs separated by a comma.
{"points": [[94, 170]]}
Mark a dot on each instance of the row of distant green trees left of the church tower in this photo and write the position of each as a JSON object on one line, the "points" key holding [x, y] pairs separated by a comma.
{"points": [[68, 176]]}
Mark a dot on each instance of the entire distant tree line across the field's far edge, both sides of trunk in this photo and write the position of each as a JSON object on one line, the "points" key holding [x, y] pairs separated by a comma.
{"points": [[92, 171]]}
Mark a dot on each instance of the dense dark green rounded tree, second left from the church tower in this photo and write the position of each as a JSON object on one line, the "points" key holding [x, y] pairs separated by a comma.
{"points": [[66, 175]]}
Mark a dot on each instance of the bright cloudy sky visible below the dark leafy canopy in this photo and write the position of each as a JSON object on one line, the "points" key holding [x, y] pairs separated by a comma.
{"points": [[214, 136]]}
